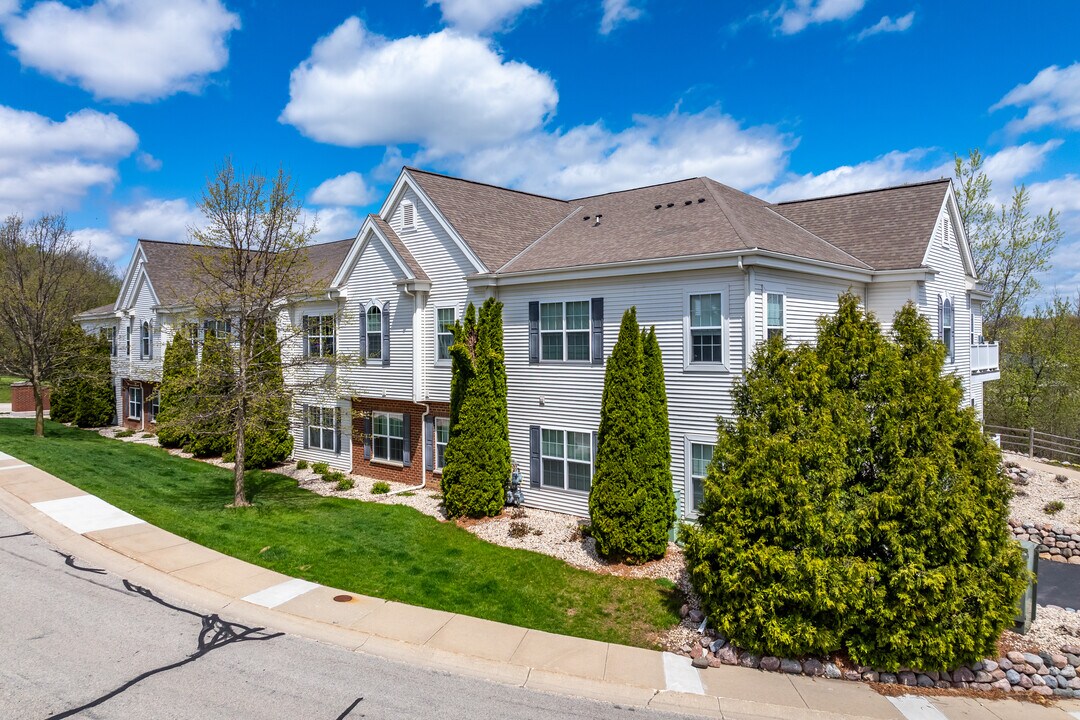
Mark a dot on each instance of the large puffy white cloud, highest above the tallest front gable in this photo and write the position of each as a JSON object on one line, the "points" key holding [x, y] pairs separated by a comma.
{"points": [[448, 92]]}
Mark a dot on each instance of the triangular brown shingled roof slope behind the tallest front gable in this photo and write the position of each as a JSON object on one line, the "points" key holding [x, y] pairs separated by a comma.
{"points": [[496, 223]]}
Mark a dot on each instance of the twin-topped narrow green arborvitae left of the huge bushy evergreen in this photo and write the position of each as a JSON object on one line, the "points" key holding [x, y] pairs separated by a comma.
{"points": [[631, 504]]}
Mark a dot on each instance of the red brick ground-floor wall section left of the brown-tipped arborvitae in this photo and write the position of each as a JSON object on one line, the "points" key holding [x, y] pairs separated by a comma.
{"points": [[384, 471]]}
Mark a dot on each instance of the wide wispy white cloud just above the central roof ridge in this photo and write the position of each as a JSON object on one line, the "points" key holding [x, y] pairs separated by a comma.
{"points": [[592, 159]]}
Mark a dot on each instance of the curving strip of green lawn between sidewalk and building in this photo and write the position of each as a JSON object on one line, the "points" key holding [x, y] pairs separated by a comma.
{"points": [[384, 551]]}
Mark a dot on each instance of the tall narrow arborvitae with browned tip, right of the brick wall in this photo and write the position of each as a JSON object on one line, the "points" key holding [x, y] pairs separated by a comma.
{"points": [[478, 456]]}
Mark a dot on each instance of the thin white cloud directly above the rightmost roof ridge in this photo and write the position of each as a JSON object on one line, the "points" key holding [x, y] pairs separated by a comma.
{"points": [[896, 168]]}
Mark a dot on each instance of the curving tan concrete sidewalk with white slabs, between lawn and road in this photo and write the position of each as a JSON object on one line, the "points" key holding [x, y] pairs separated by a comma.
{"points": [[101, 535]]}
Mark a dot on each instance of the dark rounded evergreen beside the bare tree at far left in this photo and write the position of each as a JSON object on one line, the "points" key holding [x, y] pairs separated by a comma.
{"points": [[83, 391]]}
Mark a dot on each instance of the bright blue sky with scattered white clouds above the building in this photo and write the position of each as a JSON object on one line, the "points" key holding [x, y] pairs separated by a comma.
{"points": [[116, 112]]}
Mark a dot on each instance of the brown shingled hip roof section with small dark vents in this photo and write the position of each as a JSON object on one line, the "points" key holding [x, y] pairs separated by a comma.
{"points": [[677, 220]]}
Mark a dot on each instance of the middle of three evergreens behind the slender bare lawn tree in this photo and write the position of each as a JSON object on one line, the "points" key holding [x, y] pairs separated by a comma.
{"points": [[210, 415]]}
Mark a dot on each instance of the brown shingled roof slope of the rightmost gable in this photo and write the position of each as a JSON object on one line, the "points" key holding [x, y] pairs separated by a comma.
{"points": [[889, 229]]}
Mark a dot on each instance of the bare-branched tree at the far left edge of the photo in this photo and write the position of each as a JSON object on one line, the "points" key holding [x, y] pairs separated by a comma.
{"points": [[46, 279]]}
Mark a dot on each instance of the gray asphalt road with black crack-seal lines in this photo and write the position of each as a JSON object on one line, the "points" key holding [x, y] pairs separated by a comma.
{"points": [[76, 642]]}
